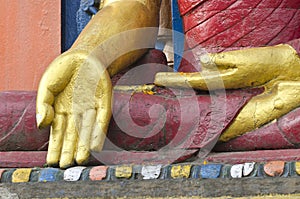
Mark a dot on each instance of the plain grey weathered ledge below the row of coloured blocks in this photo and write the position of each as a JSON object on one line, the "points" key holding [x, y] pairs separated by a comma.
{"points": [[156, 188]]}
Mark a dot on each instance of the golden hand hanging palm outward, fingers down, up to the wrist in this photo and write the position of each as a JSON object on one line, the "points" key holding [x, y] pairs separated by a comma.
{"points": [[80, 91]]}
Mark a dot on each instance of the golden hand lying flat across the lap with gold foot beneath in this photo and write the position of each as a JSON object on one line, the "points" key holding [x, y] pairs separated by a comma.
{"points": [[276, 68]]}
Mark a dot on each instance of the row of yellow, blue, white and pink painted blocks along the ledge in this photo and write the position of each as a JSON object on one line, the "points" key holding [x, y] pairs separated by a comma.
{"points": [[151, 172]]}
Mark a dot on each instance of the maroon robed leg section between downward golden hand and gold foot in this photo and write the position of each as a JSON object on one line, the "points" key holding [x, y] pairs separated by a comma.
{"points": [[140, 132]]}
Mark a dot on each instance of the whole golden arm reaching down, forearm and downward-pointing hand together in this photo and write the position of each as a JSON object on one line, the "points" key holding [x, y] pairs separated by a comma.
{"points": [[75, 92]]}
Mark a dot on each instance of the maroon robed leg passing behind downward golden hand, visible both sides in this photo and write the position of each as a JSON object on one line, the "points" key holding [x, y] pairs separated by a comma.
{"points": [[136, 117]]}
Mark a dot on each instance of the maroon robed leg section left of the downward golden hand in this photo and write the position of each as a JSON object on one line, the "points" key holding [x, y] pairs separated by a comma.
{"points": [[18, 129]]}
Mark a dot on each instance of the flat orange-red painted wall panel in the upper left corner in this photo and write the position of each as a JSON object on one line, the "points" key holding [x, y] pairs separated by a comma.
{"points": [[30, 38]]}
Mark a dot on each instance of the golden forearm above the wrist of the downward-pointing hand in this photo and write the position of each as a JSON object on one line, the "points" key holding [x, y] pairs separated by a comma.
{"points": [[115, 34]]}
